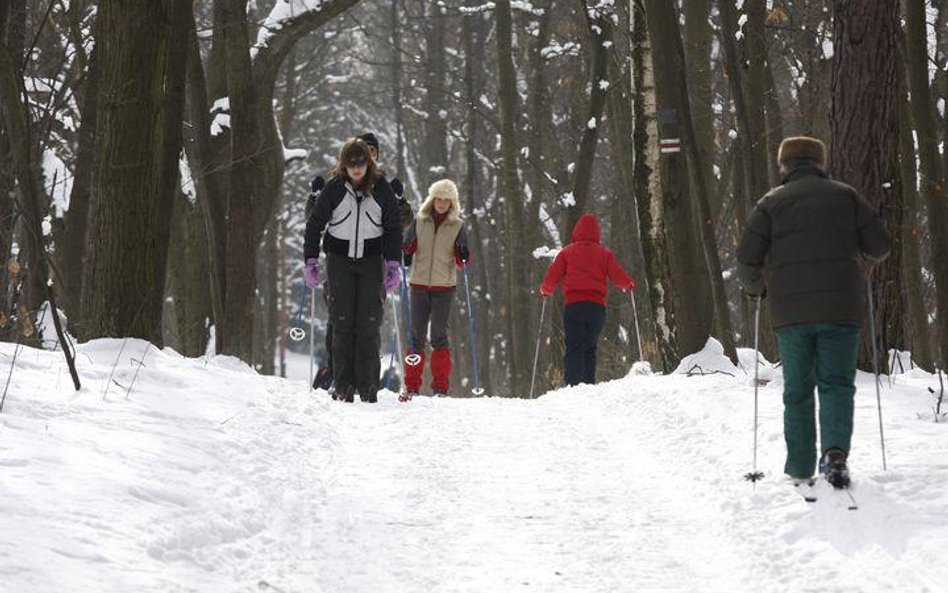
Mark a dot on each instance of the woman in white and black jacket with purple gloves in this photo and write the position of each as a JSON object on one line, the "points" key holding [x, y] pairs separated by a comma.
{"points": [[359, 213]]}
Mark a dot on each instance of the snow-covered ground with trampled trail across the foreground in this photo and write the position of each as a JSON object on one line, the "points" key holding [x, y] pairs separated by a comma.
{"points": [[208, 477]]}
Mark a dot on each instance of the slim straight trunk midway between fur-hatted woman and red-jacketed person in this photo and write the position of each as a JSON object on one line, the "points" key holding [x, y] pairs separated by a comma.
{"points": [[512, 200]]}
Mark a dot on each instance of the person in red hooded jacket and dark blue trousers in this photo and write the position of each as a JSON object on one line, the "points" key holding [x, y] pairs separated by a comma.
{"points": [[583, 267]]}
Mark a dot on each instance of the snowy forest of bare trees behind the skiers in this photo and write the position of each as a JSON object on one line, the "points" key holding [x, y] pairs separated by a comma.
{"points": [[156, 156]]}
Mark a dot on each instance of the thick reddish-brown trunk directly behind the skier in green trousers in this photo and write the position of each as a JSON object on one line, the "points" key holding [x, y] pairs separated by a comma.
{"points": [[863, 120]]}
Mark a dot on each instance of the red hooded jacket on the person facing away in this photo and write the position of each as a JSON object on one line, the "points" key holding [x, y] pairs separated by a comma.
{"points": [[584, 265]]}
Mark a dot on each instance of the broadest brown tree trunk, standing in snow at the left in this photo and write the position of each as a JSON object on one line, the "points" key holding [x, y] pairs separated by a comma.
{"points": [[138, 142]]}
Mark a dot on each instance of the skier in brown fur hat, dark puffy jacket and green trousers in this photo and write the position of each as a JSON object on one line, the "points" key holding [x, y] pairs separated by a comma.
{"points": [[805, 246]]}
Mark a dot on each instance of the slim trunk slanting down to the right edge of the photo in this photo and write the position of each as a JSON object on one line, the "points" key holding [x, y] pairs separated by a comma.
{"points": [[933, 181]]}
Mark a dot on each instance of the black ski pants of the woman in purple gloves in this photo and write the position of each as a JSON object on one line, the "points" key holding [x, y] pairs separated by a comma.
{"points": [[356, 298]]}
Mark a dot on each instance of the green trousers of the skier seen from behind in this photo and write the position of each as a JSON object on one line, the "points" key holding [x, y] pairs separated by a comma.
{"points": [[819, 355]]}
